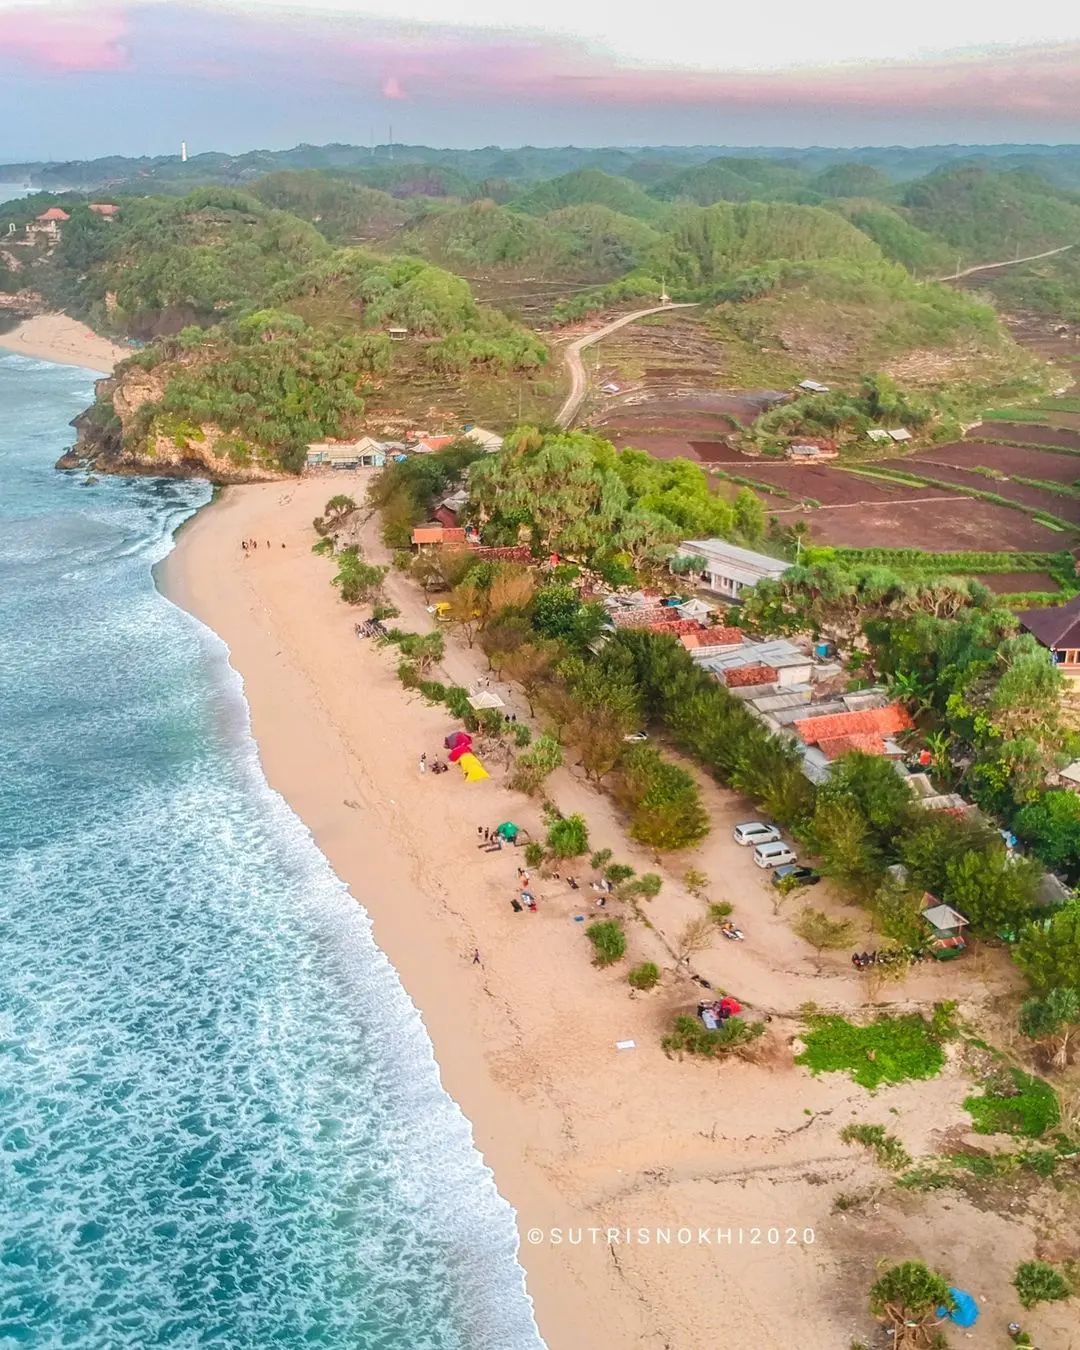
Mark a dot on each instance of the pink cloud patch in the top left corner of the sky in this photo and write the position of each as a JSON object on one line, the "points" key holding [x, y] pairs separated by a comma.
{"points": [[64, 41]]}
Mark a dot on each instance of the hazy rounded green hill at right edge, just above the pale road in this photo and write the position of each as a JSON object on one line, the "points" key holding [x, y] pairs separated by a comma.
{"points": [[989, 217]]}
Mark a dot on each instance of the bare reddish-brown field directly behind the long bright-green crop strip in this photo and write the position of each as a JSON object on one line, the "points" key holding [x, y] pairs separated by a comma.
{"points": [[939, 524]]}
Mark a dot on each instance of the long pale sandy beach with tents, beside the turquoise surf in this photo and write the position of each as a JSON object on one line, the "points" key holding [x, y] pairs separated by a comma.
{"points": [[581, 1135]]}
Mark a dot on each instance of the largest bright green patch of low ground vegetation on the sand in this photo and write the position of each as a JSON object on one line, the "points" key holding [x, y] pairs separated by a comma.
{"points": [[890, 1050]]}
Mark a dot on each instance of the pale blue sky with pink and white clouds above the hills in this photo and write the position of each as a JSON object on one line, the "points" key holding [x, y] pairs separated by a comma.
{"points": [[82, 79]]}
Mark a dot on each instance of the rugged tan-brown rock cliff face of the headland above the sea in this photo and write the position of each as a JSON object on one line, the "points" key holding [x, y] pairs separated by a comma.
{"points": [[117, 437]]}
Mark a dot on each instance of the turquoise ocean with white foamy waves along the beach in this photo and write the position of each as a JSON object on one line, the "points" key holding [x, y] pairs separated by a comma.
{"points": [[221, 1118]]}
